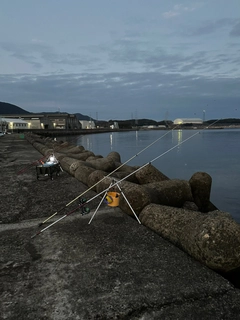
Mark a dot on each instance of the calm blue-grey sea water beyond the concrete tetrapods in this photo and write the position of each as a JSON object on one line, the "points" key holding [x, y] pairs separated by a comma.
{"points": [[179, 154]]}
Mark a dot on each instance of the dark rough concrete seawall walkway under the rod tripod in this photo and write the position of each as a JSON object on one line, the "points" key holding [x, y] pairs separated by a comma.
{"points": [[113, 268]]}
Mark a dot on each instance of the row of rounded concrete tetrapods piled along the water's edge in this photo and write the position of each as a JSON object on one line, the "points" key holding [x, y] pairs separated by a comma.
{"points": [[178, 210]]}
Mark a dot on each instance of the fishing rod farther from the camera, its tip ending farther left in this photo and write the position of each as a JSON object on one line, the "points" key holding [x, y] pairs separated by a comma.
{"points": [[134, 156]]}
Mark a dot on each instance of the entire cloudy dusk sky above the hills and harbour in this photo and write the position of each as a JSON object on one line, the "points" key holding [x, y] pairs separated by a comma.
{"points": [[122, 59]]}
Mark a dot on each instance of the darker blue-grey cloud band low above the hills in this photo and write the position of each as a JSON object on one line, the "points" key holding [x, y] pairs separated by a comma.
{"points": [[117, 95]]}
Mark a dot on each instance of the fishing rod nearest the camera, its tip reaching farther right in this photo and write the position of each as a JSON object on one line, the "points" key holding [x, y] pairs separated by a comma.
{"points": [[119, 181]]}
